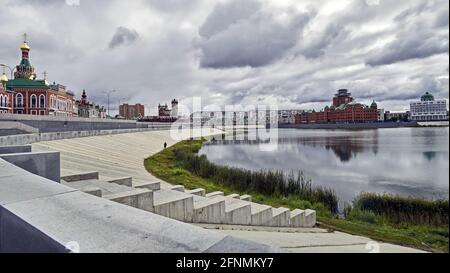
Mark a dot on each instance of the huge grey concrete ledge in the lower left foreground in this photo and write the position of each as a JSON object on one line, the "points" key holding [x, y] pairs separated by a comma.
{"points": [[99, 225]]}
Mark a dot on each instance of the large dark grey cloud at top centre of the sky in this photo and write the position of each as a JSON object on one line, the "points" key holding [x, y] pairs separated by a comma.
{"points": [[239, 34]]}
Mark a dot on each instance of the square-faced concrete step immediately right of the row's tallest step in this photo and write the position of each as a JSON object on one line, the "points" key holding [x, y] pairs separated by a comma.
{"points": [[208, 210]]}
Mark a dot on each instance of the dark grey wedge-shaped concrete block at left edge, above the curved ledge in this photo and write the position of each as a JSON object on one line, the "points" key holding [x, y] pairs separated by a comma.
{"points": [[45, 164]]}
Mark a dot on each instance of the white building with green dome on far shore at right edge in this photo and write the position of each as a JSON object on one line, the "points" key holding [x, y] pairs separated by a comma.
{"points": [[429, 109]]}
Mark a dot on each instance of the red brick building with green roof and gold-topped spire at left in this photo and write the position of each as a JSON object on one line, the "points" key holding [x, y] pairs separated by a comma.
{"points": [[35, 96]]}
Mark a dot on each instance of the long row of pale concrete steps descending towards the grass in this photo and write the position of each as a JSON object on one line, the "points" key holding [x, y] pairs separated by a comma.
{"points": [[192, 206]]}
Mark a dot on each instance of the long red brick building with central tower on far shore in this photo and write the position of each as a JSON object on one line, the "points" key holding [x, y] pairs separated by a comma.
{"points": [[344, 110]]}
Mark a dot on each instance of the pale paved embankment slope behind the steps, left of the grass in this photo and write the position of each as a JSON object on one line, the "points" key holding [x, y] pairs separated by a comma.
{"points": [[113, 156]]}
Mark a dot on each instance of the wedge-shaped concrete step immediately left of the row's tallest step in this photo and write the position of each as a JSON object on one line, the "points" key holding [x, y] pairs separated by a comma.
{"points": [[137, 198]]}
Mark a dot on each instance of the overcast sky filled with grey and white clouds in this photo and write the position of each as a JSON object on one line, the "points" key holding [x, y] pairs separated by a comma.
{"points": [[295, 53]]}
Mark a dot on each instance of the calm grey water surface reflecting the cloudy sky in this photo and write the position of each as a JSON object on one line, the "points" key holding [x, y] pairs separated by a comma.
{"points": [[408, 161]]}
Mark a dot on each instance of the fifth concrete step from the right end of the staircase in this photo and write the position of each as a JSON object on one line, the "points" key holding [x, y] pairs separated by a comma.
{"points": [[237, 212]]}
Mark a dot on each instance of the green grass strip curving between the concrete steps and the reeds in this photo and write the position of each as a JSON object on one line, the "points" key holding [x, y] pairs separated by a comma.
{"points": [[164, 166]]}
